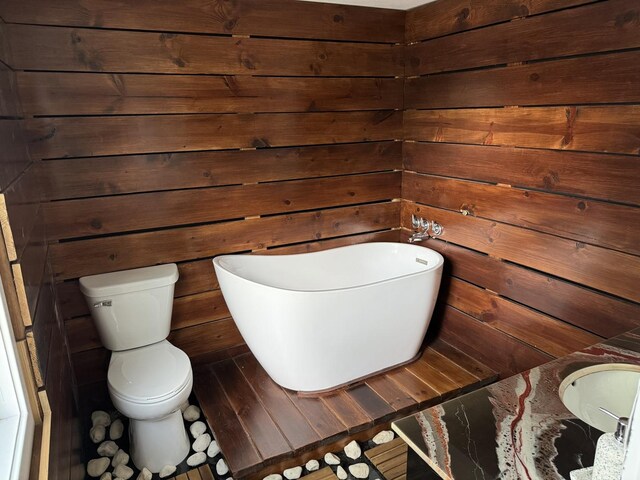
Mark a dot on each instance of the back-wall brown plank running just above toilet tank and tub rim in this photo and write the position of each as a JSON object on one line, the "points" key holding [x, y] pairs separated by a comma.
{"points": [[86, 257]]}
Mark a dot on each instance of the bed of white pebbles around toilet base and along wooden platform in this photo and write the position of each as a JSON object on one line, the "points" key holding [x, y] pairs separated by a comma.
{"points": [[109, 447]]}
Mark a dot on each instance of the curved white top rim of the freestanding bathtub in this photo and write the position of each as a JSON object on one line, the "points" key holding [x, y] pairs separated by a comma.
{"points": [[439, 265]]}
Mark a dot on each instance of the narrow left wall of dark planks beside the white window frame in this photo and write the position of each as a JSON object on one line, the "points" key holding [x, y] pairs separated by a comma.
{"points": [[28, 288]]}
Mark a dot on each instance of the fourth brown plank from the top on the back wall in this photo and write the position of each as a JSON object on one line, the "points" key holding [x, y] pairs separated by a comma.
{"points": [[68, 137]]}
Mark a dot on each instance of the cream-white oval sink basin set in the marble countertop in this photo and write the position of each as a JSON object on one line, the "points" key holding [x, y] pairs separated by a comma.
{"points": [[612, 386]]}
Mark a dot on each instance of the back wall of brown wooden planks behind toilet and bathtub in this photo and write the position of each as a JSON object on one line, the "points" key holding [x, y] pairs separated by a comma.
{"points": [[176, 131]]}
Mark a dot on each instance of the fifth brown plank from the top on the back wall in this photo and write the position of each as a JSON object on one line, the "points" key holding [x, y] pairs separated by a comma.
{"points": [[90, 177]]}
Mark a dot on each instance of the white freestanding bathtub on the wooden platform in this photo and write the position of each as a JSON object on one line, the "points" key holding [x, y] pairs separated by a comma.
{"points": [[319, 320]]}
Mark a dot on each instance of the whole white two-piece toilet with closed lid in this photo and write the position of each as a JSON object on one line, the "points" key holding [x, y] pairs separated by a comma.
{"points": [[149, 379]]}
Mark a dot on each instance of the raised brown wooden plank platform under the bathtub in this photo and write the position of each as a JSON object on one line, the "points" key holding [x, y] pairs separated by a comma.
{"points": [[257, 423]]}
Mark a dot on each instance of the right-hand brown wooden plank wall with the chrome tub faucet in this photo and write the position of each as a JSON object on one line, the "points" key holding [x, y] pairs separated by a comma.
{"points": [[522, 129]]}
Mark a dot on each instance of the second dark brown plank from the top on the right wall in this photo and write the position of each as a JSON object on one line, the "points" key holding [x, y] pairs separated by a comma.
{"points": [[601, 27]]}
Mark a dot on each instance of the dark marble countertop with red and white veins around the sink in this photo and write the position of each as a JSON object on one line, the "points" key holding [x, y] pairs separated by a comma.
{"points": [[516, 428]]}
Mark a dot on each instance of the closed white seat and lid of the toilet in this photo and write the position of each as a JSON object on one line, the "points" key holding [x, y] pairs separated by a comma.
{"points": [[149, 374]]}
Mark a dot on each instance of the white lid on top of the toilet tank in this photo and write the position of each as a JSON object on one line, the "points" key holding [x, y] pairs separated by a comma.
{"points": [[125, 281]]}
